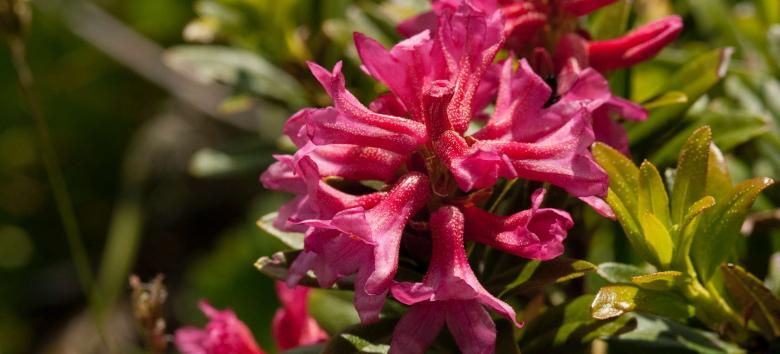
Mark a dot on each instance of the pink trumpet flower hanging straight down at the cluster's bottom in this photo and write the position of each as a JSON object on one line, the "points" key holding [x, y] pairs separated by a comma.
{"points": [[449, 293]]}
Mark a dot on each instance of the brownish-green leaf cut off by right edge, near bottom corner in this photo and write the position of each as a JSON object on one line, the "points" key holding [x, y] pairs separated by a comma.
{"points": [[753, 298]]}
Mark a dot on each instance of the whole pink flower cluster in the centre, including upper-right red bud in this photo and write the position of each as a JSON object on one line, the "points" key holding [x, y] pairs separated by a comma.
{"points": [[438, 148]]}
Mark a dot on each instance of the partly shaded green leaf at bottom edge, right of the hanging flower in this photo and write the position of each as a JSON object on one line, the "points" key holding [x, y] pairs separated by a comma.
{"points": [[566, 328]]}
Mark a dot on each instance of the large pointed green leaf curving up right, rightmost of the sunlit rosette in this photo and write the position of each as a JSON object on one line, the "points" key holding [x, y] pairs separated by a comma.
{"points": [[717, 234]]}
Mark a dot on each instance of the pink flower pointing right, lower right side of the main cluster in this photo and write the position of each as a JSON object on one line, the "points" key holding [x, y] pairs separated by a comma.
{"points": [[537, 233]]}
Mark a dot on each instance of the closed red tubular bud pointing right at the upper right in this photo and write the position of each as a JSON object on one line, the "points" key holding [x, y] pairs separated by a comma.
{"points": [[637, 46]]}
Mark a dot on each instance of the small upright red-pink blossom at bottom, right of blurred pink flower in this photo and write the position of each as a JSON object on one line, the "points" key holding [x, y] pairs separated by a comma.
{"points": [[292, 326]]}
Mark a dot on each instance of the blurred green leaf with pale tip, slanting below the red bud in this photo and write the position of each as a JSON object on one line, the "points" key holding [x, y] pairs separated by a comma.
{"points": [[693, 80]]}
